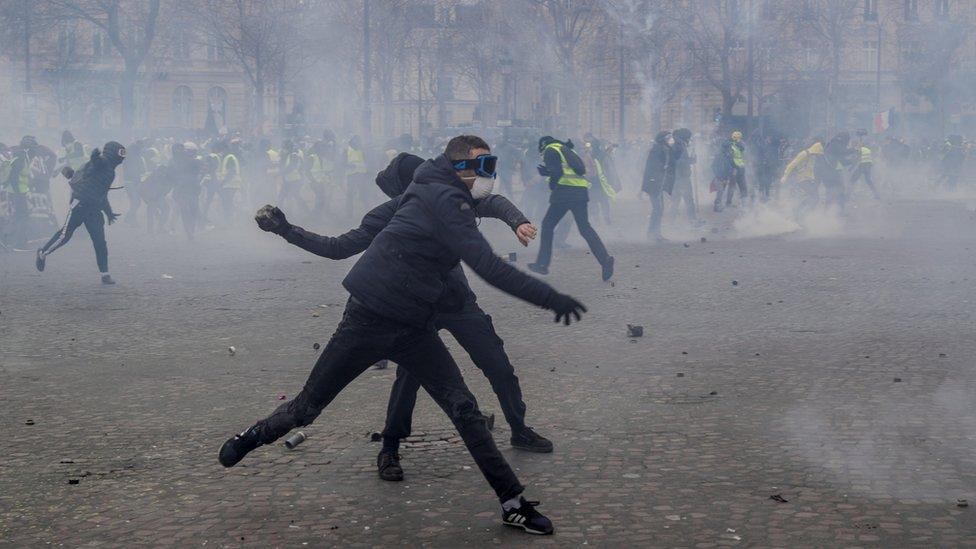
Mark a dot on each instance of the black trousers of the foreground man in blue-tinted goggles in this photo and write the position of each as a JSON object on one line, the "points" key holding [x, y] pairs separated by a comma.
{"points": [[362, 339]]}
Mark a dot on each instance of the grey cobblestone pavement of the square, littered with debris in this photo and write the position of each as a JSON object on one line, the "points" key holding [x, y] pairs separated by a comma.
{"points": [[788, 391]]}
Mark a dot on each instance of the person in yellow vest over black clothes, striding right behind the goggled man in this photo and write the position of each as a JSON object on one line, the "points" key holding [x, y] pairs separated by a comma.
{"points": [[569, 193]]}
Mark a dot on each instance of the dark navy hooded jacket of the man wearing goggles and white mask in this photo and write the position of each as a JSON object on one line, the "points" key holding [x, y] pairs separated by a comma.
{"points": [[405, 273]]}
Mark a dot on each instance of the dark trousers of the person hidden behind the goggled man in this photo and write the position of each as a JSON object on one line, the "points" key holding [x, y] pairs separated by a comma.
{"points": [[473, 329]]}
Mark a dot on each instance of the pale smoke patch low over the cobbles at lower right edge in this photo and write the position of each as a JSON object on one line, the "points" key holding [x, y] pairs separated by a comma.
{"points": [[890, 453]]}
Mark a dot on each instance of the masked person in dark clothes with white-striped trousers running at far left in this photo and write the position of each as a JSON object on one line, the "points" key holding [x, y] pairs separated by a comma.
{"points": [[89, 201]]}
